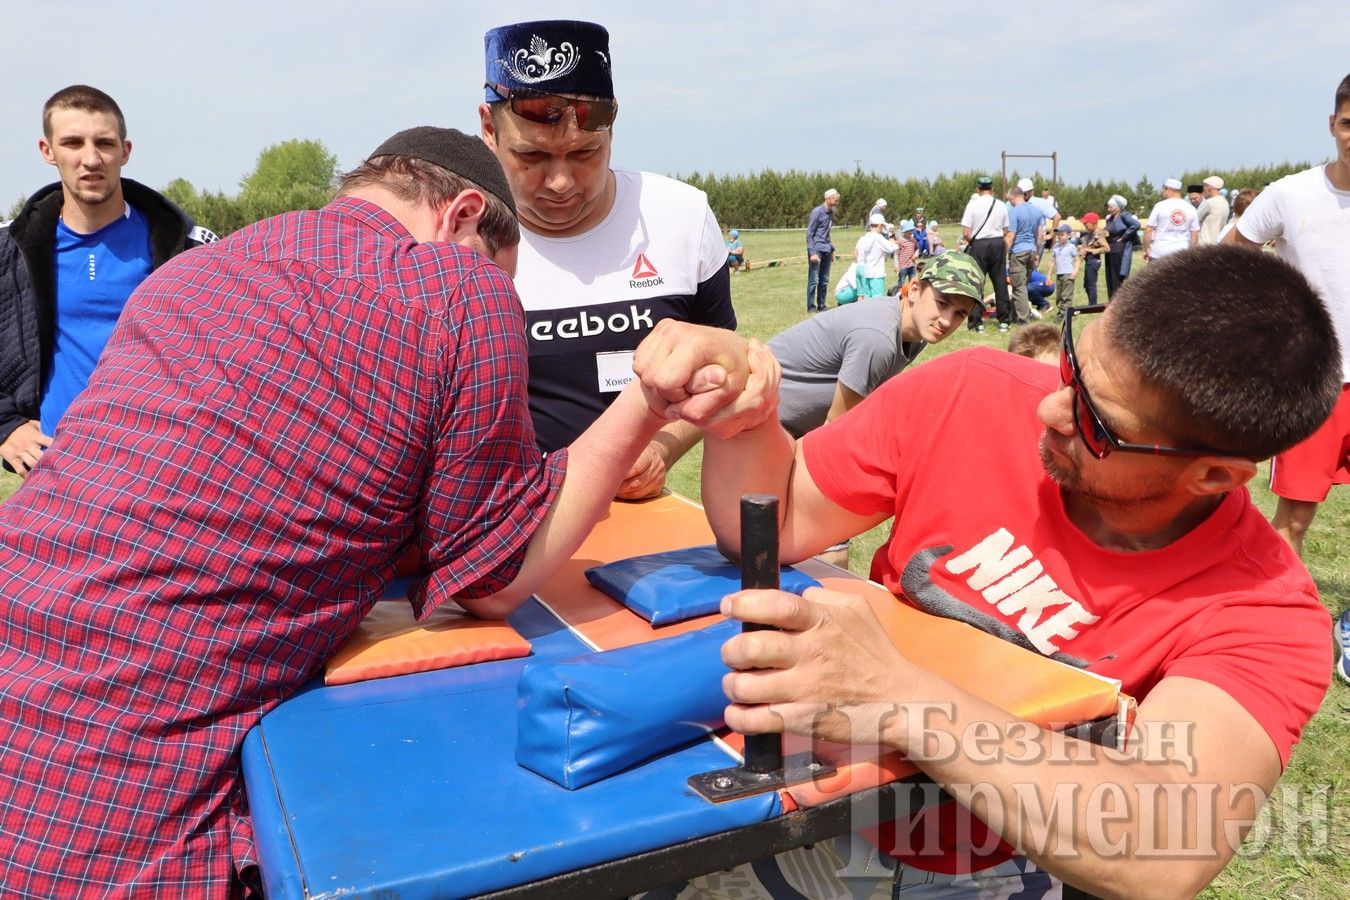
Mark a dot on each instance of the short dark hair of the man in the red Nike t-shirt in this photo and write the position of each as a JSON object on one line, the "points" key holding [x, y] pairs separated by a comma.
{"points": [[1239, 341]]}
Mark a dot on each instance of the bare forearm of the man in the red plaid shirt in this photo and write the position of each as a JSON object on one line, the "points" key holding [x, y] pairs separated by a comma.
{"points": [[597, 462]]}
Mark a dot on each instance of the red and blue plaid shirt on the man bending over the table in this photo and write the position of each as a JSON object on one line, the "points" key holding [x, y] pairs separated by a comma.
{"points": [[276, 418]]}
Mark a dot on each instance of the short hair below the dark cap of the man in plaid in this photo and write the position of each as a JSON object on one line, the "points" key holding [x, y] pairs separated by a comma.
{"points": [[418, 181]]}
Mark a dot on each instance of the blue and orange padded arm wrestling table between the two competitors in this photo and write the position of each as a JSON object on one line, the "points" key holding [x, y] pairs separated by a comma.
{"points": [[410, 787]]}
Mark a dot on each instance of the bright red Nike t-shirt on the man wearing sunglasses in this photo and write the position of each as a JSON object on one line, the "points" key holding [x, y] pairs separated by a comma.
{"points": [[1228, 604]]}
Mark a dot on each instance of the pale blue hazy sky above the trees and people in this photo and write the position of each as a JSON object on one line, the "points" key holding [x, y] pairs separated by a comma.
{"points": [[901, 88]]}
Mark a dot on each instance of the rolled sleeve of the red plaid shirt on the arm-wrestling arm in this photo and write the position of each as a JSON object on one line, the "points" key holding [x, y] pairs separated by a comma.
{"points": [[489, 489]]}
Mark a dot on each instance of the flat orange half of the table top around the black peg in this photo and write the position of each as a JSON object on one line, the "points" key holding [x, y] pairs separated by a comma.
{"points": [[1024, 683]]}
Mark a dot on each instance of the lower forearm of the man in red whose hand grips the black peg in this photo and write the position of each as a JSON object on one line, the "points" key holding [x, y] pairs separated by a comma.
{"points": [[1108, 822]]}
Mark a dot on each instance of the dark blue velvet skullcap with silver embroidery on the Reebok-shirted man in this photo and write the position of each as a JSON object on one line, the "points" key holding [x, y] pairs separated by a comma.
{"points": [[556, 57]]}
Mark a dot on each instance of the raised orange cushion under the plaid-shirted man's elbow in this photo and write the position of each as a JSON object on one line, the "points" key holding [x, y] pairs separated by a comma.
{"points": [[389, 642]]}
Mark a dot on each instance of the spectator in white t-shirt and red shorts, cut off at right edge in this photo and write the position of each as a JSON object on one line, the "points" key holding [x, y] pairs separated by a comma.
{"points": [[1307, 215]]}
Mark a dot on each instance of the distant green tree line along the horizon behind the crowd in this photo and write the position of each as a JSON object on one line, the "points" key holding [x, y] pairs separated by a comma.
{"points": [[303, 175]]}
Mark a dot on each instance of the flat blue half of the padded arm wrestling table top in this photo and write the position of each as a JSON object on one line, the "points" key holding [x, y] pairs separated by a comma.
{"points": [[408, 787]]}
